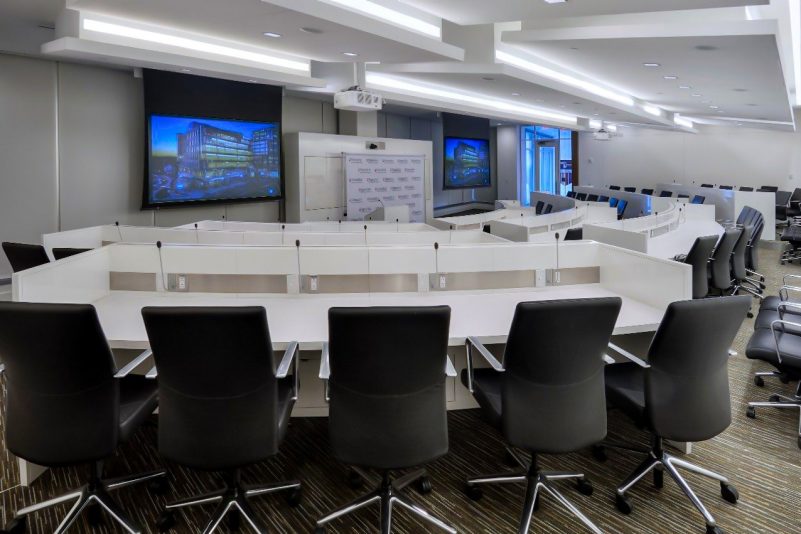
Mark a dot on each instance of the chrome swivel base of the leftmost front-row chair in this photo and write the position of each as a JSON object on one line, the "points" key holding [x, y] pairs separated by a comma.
{"points": [[91, 497]]}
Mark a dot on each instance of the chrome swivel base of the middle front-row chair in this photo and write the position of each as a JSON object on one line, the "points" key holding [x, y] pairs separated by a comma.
{"points": [[388, 494]]}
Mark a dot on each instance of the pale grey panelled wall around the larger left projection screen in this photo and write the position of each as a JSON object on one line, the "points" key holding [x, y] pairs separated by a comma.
{"points": [[71, 147]]}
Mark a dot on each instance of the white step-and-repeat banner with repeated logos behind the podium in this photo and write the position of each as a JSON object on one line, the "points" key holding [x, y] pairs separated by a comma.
{"points": [[373, 181]]}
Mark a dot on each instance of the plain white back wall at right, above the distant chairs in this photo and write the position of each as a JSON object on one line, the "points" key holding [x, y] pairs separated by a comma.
{"points": [[717, 155]]}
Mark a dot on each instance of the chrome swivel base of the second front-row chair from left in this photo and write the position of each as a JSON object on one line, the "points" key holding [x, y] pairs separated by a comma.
{"points": [[233, 498]]}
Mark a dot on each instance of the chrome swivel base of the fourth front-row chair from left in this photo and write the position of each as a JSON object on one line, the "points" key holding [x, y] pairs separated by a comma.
{"points": [[537, 482]]}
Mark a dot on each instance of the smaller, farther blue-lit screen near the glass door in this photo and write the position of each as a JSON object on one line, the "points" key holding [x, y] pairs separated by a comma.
{"points": [[466, 163]]}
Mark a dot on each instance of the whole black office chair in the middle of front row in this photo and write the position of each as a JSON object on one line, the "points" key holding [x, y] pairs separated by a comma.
{"points": [[386, 370]]}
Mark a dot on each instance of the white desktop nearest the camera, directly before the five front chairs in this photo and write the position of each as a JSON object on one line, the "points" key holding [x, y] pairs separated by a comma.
{"points": [[486, 314]]}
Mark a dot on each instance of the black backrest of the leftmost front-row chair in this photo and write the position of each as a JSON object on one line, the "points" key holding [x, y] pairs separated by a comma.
{"points": [[62, 398]]}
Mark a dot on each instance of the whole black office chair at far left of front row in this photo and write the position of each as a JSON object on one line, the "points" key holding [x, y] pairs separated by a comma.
{"points": [[68, 405]]}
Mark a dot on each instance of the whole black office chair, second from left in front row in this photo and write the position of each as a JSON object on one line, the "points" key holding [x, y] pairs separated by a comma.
{"points": [[222, 403]]}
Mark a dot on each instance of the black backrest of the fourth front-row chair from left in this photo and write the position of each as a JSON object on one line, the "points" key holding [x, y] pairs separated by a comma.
{"points": [[553, 393]]}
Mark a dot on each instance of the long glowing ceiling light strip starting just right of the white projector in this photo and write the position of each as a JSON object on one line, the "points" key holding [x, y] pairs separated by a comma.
{"points": [[481, 101]]}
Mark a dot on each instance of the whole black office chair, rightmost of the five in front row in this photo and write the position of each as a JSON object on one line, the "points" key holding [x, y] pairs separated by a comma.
{"points": [[682, 392]]}
